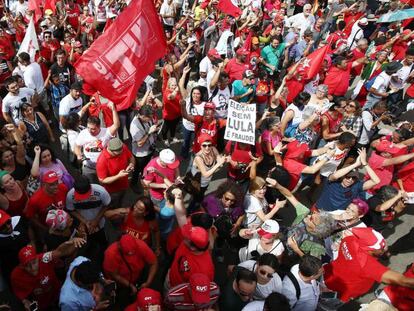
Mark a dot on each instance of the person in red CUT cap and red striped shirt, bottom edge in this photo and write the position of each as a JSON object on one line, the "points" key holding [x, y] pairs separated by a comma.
{"points": [[198, 294]]}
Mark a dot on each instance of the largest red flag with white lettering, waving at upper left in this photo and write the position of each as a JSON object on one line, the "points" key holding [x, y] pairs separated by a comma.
{"points": [[120, 59]]}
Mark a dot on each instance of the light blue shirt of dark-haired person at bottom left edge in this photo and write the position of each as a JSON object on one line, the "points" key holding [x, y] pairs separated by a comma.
{"points": [[73, 297]]}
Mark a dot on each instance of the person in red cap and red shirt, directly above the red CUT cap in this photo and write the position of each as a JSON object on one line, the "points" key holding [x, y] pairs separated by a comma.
{"points": [[192, 256]]}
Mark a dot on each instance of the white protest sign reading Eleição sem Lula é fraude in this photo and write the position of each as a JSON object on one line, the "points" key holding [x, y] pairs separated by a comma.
{"points": [[241, 123]]}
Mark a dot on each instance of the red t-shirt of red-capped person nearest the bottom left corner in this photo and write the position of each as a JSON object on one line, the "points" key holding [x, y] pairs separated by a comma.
{"points": [[44, 287]]}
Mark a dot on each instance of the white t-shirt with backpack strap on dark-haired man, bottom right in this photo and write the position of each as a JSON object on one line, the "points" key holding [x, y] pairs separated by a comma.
{"points": [[309, 292]]}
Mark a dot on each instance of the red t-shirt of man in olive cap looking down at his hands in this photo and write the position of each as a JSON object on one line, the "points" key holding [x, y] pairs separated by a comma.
{"points": [[107, 166]]}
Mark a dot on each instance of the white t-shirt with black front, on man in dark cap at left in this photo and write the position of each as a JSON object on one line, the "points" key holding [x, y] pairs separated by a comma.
{"points": [[90, 207]]}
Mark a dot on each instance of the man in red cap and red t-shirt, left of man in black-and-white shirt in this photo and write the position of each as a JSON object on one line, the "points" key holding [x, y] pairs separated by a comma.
{"points": [[52, 195]]}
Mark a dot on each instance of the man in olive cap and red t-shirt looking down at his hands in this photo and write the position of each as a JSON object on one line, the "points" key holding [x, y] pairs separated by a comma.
{"points": [[113, 167]]}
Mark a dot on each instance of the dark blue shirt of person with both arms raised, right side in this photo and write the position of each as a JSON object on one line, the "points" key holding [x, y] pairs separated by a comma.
{"points": [[336, 197]]}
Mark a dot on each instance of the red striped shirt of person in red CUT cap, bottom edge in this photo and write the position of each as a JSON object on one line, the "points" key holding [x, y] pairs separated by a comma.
{"points": [[179, 298]]}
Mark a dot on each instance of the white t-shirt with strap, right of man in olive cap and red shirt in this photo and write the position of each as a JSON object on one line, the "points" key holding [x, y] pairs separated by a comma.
{"points": [[138, 130]]}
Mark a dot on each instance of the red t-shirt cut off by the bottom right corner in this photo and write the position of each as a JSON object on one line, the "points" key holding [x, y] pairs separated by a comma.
{"points": [[402, 298]]}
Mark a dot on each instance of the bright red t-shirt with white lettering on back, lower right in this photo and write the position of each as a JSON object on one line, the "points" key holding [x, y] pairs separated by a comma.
{"points": [[354, 272]]}
